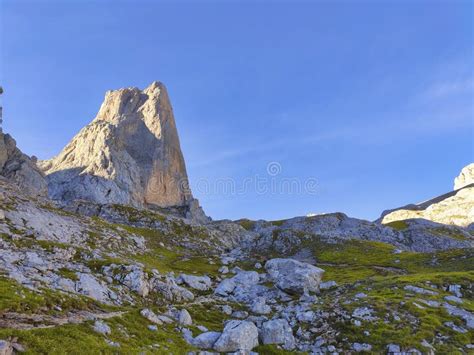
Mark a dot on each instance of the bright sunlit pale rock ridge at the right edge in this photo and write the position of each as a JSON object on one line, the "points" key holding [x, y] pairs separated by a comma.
{"points": [[453, 208]]}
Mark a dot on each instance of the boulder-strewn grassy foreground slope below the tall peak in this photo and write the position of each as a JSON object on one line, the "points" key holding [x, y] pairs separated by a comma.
{"points": [[129, 281]]}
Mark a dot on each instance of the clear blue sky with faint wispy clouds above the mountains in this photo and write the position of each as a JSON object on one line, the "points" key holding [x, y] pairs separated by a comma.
{"points": [[373, 100]]}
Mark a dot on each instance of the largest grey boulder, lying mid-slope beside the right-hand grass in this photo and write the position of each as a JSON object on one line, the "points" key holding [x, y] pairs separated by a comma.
{"points": [[293, 276]]}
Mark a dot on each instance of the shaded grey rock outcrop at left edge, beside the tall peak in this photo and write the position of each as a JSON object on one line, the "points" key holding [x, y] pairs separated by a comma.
{"points": [[20, 169]]}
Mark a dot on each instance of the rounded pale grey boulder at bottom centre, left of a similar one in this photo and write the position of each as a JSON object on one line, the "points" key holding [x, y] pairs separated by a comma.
{"points": [[237, 335]]}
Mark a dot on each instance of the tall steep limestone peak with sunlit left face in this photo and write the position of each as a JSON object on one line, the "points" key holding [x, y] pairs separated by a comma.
{"points": [[129, 154]]}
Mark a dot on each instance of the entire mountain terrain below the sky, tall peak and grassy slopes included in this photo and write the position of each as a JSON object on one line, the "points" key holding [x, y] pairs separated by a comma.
{"points": [[109, 253]]}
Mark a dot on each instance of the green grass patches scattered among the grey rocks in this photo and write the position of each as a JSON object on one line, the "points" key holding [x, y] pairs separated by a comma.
{"points": [[357, 266]]}
